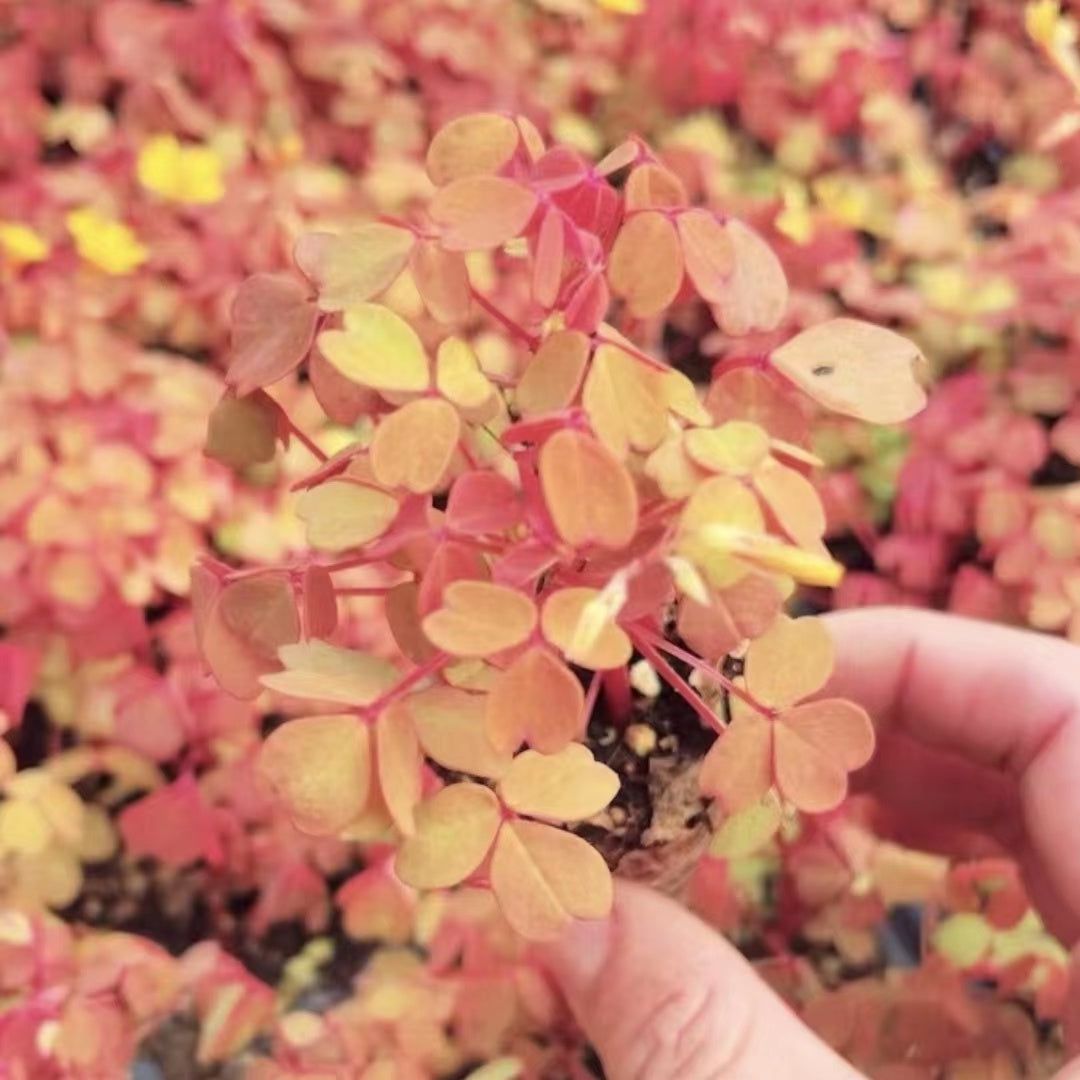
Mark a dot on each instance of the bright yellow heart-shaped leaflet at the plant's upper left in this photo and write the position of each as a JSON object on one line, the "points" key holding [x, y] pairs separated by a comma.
{"points": [[377, 348]]}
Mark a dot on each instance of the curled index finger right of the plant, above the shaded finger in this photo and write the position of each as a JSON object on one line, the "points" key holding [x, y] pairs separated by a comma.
{"points": [[1001, 698]]}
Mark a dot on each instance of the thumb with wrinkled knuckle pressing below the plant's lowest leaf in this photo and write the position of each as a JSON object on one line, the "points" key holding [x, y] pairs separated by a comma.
{"points": [[661, 996]]}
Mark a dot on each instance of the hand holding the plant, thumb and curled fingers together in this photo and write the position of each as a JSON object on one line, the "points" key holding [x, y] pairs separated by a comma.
{"points": [[979, 731]]}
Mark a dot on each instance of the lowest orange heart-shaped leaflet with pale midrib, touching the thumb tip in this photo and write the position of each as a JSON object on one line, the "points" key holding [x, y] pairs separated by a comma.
{"points": [[544, 879]]}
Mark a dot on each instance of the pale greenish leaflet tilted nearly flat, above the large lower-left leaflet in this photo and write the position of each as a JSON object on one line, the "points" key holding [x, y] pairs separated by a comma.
{"points": [[322, 672]]}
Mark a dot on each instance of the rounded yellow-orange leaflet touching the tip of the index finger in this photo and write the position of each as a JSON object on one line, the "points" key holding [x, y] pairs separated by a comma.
{"points": [[790, 661]]}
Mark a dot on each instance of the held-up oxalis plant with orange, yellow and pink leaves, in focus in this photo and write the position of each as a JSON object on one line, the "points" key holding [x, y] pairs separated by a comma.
{"points": [[555, 519]]}
